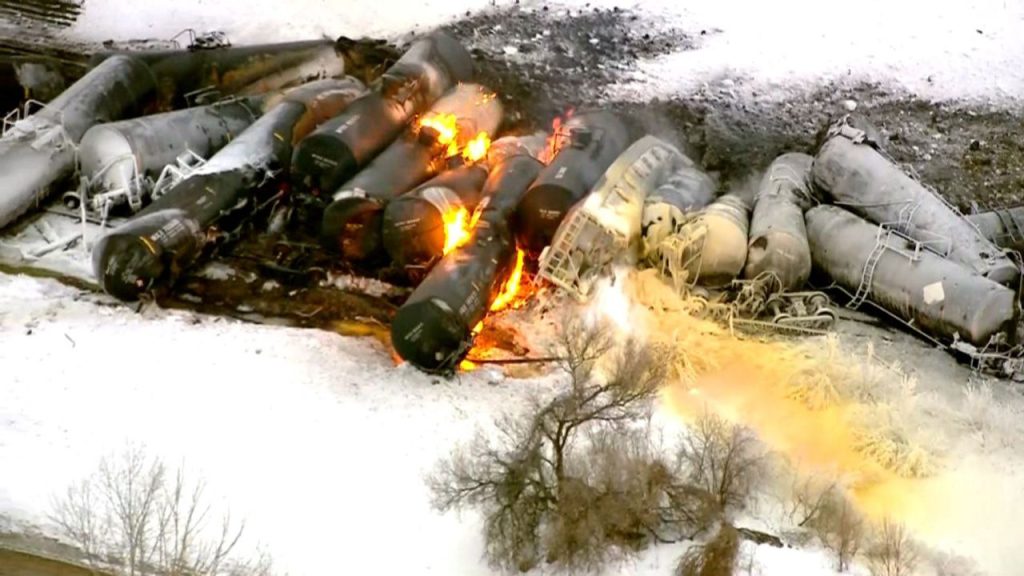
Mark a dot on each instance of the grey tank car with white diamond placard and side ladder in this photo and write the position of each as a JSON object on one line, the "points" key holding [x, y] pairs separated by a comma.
{"points": [[941, 297]]}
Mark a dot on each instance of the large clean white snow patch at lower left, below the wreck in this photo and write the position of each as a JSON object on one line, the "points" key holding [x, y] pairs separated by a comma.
{"points": [[318, 439]]}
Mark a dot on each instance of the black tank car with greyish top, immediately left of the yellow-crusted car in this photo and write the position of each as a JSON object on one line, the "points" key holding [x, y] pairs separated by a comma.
{"points": [[593, 141]]}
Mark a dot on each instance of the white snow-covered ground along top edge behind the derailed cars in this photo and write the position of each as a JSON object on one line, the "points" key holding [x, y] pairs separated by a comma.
{"points": [[968, 50]]}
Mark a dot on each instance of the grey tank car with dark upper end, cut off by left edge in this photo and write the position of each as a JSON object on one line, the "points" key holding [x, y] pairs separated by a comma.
{"points": [[38, 152]]}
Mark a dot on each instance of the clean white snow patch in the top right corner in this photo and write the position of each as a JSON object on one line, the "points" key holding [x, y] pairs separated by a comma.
{"points": [[968, 51]]}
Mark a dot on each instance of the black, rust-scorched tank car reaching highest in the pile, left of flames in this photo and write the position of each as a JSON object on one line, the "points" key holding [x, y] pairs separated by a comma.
{"points": [[333, 154]]}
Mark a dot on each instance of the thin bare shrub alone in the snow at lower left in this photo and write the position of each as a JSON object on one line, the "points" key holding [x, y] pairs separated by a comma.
{"points": [[136, 519]]}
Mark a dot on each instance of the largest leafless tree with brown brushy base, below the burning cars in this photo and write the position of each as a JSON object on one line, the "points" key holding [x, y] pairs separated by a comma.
{"points": [[575, 480]]}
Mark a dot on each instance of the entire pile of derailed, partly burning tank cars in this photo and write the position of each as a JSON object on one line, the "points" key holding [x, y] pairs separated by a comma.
{"points": [[192, 144]]}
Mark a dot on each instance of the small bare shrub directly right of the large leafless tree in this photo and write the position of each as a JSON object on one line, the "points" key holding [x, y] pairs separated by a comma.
{"points": [[723, 460]]}
